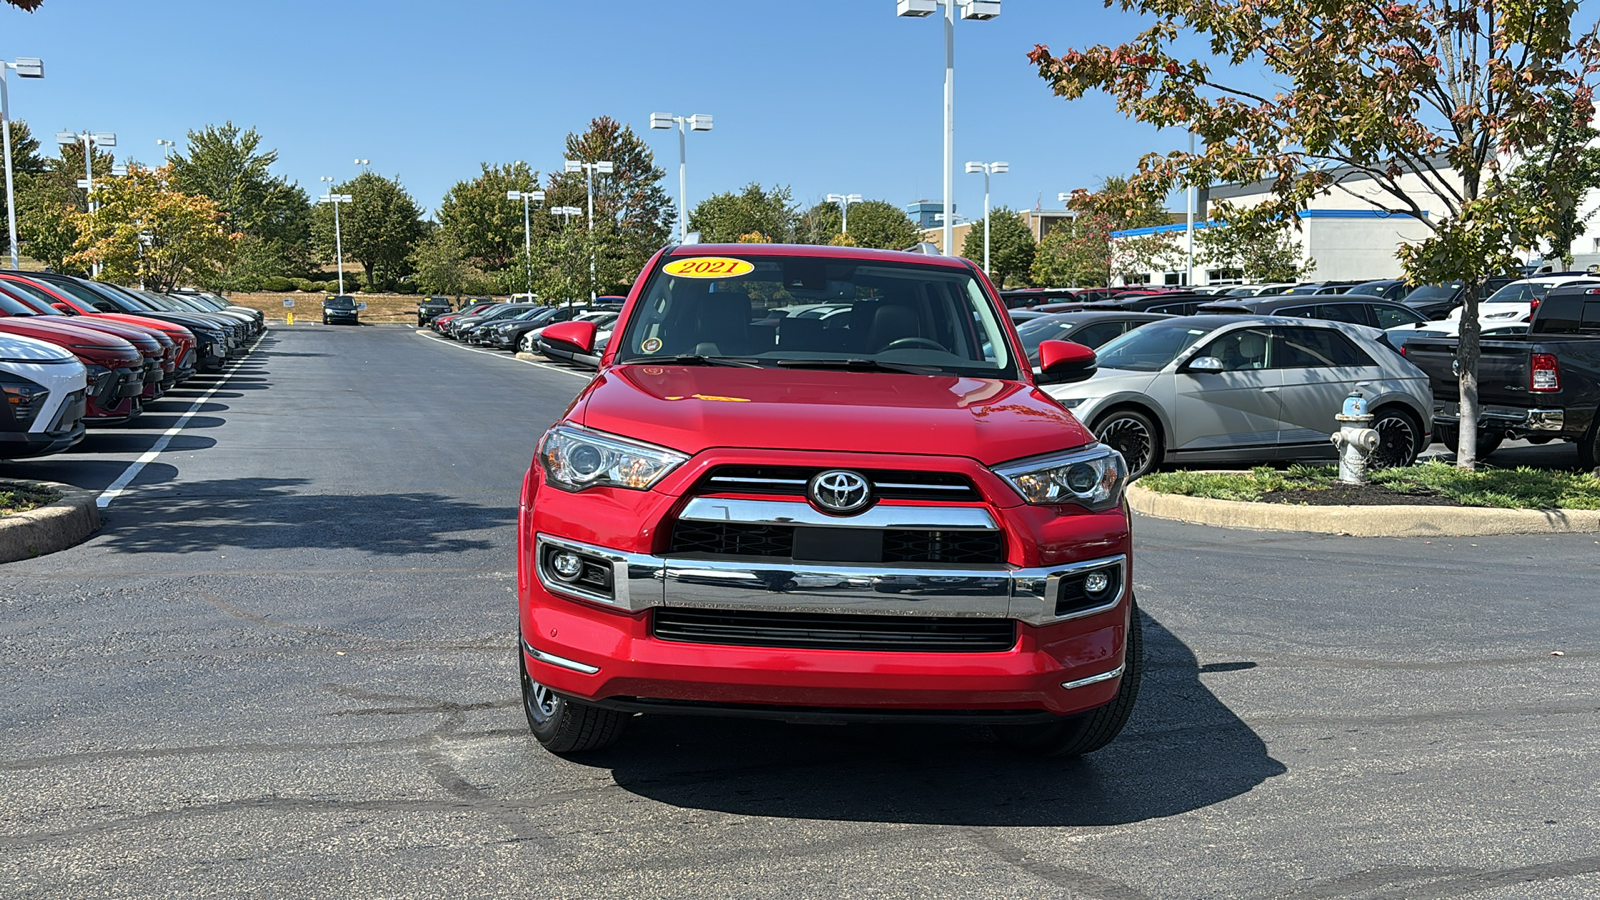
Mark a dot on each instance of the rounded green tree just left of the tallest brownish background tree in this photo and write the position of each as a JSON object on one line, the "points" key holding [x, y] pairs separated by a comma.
{"points": [[482, 222]]}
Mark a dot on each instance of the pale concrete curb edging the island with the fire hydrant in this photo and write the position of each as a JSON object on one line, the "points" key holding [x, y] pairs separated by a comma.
{"points": [[1364, 521]]}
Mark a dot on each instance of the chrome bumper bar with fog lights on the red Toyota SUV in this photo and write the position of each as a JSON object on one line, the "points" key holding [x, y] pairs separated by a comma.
{"points": [[642, 582]]}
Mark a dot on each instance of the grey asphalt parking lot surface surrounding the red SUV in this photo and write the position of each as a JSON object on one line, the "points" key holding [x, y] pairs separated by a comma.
{"points": [[284, 669]]}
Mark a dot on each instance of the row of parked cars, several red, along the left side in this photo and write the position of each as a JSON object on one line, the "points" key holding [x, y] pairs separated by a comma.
{"points": [[78, 355]]}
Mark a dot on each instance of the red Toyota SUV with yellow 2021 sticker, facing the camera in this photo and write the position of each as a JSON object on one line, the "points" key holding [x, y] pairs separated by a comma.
{"points": [[822, 484]]}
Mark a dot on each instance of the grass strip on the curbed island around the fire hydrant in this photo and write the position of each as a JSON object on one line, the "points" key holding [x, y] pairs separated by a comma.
{"points": [[1506, 489]]}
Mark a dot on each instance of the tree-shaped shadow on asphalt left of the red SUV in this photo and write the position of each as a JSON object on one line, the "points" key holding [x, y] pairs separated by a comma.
{"points": [[273, 515]]}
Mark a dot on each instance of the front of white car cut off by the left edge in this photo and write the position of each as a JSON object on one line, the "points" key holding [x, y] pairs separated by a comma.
{"points": [[46, 390]]}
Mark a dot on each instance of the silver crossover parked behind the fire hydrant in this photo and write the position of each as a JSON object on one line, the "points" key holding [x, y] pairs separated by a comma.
{"points": [[1241, 388]]}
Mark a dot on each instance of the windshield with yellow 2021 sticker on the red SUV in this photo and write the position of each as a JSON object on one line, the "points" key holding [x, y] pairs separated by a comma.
{"points": [[871, 315]]}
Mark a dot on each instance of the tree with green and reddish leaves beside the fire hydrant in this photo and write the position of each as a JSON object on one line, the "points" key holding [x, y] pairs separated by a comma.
{"points": [[1422, 102]]}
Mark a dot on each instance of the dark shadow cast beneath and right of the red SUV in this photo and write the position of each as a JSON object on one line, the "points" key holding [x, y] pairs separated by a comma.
{"points": [[1183, 750]]}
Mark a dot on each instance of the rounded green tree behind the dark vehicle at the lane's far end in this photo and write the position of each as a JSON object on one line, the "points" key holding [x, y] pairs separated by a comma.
{"points": [[380, 228]]}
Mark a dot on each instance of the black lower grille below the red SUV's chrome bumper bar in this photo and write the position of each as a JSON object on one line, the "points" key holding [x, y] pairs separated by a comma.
{"points": [[823, 632]]}
